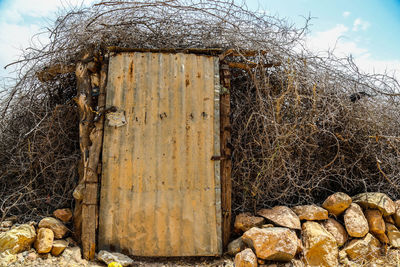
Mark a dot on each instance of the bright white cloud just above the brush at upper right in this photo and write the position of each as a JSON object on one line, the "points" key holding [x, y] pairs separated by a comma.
{"points": [[338, 41]]}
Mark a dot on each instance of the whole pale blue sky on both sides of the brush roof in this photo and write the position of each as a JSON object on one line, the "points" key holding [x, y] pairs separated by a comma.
{"points": [[369, 30]]}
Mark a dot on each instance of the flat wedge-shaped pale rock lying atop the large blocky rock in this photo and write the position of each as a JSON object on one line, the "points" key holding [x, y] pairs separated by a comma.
{"points": [[281, 216]]}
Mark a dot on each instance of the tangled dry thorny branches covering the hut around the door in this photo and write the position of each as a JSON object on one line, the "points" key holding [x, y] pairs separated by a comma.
{"points": [[296, 133]]}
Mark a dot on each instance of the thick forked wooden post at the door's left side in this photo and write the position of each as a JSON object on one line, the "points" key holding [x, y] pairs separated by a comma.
{"points": [[91, 141]]}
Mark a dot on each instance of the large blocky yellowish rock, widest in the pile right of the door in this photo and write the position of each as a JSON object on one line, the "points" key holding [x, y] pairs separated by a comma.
{"points": [[275, 243]]}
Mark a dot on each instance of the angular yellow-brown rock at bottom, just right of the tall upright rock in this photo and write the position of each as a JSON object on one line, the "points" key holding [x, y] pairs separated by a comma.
{"points": [[363, 249]]}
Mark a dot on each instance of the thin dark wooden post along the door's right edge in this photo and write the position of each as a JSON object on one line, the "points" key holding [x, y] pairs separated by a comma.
{"points": [[226, 164]]}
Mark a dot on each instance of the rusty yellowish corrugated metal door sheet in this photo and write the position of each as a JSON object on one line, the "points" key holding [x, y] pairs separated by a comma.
{"points": [[160, 190]]}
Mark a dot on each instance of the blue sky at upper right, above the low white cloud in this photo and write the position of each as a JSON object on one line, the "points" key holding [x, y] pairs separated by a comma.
{"points": [[378, 21]]}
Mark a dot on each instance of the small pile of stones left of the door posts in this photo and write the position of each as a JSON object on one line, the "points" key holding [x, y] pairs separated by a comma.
{"points": [[46, 237]]}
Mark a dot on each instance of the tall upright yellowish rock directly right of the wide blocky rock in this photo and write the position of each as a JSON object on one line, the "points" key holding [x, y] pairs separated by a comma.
{"points": [[320, 248]]}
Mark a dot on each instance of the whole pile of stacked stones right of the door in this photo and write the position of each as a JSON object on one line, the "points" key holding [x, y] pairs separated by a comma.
{"points": [[346, 231]]}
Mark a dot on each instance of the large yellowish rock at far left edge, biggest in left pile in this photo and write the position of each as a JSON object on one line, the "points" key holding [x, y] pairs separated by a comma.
{"points": [[18, 239]]}
